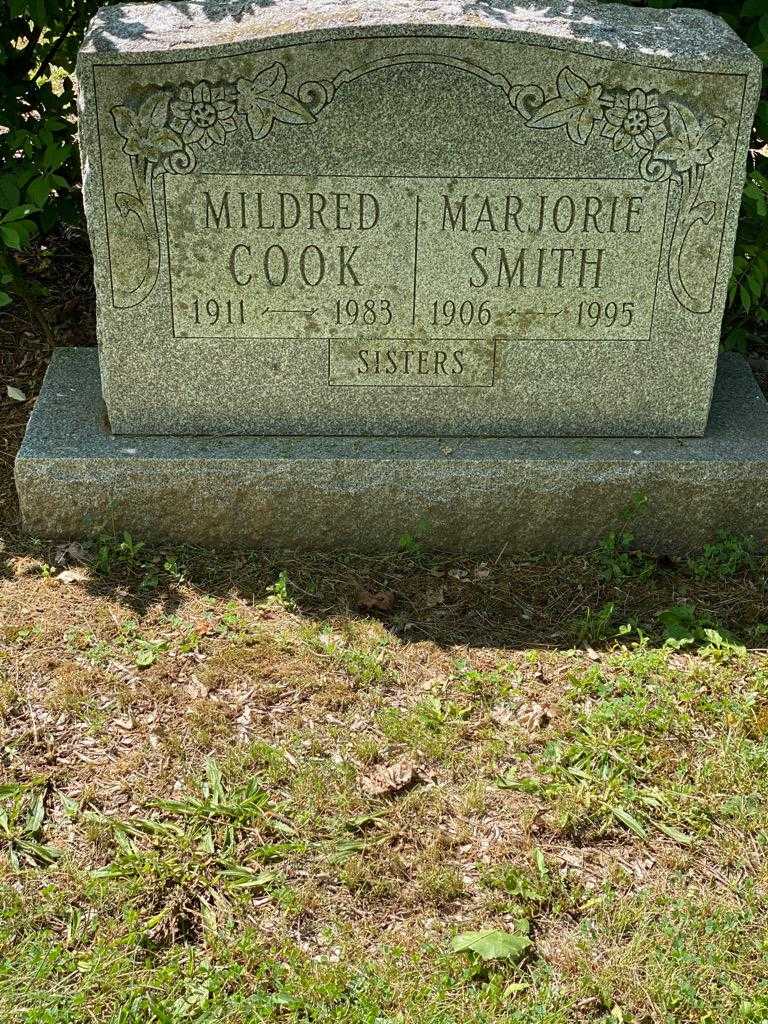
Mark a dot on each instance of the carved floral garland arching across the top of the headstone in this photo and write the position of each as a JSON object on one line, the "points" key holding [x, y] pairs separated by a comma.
{"points": [[167, 132]]}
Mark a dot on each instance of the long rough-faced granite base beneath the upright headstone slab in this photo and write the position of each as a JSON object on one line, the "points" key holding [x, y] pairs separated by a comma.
{"points": [[470, 494]]}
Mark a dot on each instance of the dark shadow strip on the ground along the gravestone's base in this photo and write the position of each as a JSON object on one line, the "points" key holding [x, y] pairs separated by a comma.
{"points": [[546, 602]]}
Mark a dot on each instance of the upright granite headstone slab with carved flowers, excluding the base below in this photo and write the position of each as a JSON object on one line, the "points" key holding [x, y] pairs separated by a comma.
{"points": [[413, 218]]}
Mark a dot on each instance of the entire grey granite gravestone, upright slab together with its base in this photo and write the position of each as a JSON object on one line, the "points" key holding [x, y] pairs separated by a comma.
{"points": [[362, 267]]}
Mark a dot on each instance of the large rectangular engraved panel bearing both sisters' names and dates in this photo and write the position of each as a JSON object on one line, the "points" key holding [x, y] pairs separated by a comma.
{"points": [[413, 259]]}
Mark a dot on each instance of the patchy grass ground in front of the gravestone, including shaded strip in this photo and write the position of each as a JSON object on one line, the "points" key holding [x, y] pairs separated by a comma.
{"points": [[528, 792]]}
